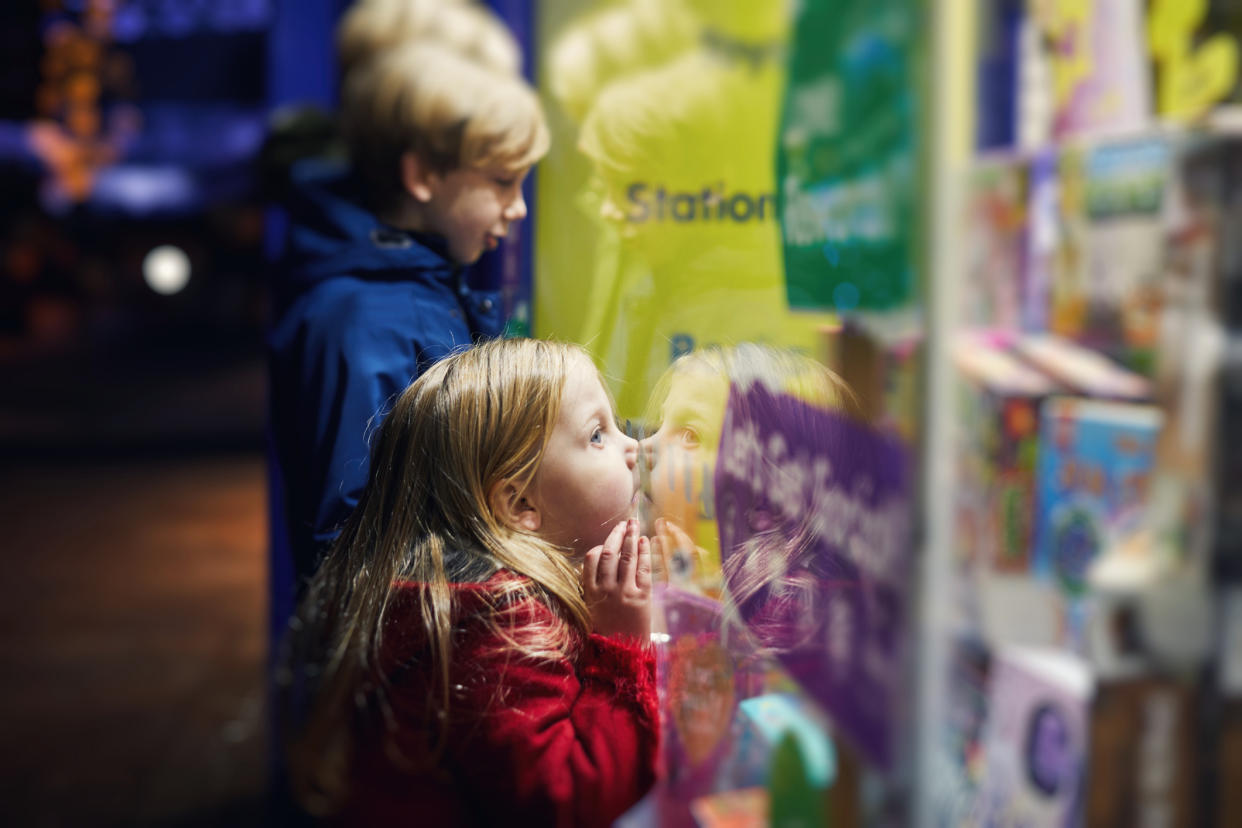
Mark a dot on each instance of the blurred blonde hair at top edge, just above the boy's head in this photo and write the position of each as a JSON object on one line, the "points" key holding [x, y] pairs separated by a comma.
{"points": [[371, 28]]}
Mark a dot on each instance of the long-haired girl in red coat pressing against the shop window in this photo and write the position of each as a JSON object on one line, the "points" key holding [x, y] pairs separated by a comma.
{"points": [[484, 620]]}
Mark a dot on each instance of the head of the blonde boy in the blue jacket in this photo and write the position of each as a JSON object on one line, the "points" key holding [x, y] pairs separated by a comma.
{"points": [[443, 145]]}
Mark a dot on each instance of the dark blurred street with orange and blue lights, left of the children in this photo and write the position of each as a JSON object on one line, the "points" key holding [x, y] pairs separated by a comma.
{"points": [[132, 312]]}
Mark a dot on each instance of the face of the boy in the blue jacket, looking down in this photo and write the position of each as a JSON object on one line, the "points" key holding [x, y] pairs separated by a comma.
{"points": [[474, 209]]}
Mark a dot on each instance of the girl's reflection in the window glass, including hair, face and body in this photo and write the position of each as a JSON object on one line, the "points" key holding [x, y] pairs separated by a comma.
{"points": [[767, 580]]}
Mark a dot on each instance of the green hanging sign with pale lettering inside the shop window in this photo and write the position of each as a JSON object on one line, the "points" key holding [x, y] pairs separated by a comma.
{"points": [[848, 156]]}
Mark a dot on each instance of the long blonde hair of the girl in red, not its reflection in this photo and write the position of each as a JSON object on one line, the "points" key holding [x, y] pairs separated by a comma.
{"points": [[476, 420]]}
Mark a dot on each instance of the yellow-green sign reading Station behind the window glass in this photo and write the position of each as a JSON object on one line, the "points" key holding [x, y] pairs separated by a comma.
{"points": [[658, 230]]}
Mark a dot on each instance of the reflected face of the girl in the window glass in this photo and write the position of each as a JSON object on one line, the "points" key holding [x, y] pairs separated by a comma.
{"points": [[681, 455]]}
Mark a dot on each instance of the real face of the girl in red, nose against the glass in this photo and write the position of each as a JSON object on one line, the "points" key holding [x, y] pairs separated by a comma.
{"points": [[587, 481]]}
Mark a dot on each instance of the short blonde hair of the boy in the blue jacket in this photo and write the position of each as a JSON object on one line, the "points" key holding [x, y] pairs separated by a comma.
{"points": [[448, 110]]}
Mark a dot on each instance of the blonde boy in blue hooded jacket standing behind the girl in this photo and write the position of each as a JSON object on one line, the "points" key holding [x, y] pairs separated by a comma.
{"points": [[373, 290]]}
